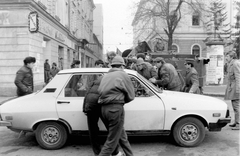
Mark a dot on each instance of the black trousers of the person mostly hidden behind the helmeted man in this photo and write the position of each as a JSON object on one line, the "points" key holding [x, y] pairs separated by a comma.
{"points": [[92, 119]]}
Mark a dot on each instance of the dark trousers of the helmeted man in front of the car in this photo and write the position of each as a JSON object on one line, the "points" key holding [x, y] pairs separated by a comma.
{"points": [[113, 118]]}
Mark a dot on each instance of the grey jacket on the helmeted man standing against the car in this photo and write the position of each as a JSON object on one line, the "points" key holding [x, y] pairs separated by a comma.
{"points": [[116, 88]]}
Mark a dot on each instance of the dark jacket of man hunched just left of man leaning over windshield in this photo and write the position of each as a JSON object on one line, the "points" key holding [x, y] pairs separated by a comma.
{"points": [[148, 71]]}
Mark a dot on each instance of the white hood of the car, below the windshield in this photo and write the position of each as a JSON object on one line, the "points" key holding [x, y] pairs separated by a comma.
{"points": [[188, 100]]}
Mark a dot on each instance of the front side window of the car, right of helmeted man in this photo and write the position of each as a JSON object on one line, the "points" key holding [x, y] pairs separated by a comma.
{"points": [[140, 89]]}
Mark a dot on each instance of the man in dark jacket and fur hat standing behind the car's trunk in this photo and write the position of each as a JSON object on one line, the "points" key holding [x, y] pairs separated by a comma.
{"points": [[24, 77]]}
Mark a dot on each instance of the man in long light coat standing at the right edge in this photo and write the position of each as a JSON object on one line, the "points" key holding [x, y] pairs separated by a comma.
{"points": [[233, 85]]}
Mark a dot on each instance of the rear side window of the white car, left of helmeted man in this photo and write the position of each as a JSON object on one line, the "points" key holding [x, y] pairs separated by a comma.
{"points": [[79, 84]]}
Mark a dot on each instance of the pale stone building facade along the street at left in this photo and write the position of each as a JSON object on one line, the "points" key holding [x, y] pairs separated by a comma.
{"points": [[63, 34]]}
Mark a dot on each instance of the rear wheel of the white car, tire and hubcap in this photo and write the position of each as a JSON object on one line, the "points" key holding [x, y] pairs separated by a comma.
{"points": [[51, 135]]}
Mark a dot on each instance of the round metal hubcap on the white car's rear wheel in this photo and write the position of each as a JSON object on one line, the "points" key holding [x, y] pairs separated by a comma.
{"points": [[51, 135]]}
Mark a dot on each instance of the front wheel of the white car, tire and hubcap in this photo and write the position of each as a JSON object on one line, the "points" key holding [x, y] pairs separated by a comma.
{"points": [[189, 132]]}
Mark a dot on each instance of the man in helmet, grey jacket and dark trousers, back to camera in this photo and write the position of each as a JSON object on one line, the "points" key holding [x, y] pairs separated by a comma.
{"points": [[115, 90]]}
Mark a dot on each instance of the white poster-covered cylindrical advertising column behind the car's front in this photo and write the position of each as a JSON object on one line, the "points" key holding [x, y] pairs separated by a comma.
{"points": [[214, 74]]}
